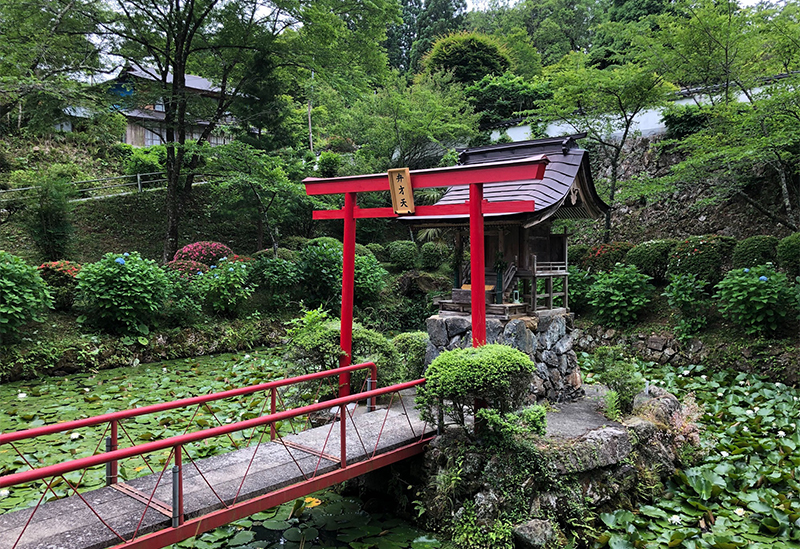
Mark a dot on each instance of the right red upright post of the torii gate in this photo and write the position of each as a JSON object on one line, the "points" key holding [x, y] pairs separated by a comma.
{"points": [[478, 267]]}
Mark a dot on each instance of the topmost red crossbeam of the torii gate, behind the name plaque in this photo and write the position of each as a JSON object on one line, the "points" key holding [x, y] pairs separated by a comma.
{"points": [[498, 172]]}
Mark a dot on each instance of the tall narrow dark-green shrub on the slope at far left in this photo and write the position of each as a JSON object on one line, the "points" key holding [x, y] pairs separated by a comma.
{"points": [[49, 219]]}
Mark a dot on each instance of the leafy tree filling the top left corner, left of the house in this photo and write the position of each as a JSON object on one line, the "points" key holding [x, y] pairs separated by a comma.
{"points": [[46, 47]]}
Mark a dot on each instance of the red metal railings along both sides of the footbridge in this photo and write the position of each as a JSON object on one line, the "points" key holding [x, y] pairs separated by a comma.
{"points": [[181, 528]]}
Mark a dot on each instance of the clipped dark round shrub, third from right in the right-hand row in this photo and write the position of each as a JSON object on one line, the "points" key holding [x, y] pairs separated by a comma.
{"points": [[701, 256]]}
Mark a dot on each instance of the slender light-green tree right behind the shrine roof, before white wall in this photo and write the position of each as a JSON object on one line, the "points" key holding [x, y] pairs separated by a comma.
{"points": [[604, 104]]}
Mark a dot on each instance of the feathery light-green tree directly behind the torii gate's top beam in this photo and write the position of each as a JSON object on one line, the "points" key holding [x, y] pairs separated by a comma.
{"points": [[403, 125]]}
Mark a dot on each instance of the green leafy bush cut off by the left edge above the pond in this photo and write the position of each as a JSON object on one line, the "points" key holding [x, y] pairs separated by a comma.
{"points": [[23, 295]]}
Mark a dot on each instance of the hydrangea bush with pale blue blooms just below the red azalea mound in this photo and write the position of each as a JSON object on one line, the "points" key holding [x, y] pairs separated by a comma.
{"points": [[226, 286]]}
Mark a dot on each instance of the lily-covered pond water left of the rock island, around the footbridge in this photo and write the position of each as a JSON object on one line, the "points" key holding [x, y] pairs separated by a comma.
{"points": [[325, 519]]}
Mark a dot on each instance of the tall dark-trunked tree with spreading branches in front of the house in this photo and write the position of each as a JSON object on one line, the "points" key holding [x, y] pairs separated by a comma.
{"points": [[220, 40]]}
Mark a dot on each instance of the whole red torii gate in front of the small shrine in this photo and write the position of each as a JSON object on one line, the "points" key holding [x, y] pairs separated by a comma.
{"points": [[475, 175]]}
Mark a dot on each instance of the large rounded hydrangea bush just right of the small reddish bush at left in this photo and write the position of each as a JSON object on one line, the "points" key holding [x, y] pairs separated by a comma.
{"points": [[122, 293]]}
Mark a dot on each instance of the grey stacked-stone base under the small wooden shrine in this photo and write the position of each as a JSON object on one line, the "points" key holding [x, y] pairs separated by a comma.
{"points": [[545, 336]]}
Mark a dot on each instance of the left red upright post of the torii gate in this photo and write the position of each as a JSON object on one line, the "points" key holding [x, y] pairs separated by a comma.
{"points": [[348, 280]]}
